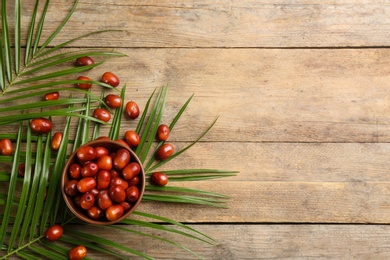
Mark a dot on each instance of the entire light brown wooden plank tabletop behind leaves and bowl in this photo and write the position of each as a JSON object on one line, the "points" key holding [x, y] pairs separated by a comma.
{"points": [[302, 92]]}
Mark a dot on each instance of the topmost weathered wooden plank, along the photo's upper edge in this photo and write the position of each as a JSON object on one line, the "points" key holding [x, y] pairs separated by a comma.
{"points": [[223, 23]]}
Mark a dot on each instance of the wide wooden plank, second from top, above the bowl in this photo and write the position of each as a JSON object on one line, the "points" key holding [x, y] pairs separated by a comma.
{"points": [[265, 95]]}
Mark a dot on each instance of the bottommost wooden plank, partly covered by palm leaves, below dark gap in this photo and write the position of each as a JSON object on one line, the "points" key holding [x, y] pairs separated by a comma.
{"points": [[269, 242]]}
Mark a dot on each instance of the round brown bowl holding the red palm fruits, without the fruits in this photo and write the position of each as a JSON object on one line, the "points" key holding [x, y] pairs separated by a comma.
{"points": [[112, 146]]}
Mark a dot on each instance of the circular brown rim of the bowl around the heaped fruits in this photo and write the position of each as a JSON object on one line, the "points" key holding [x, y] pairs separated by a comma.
{"points": [[68, 199]]}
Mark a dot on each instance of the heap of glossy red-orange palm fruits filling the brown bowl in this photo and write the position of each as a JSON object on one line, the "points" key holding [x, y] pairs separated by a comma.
{"points": [[103, 183]]}
